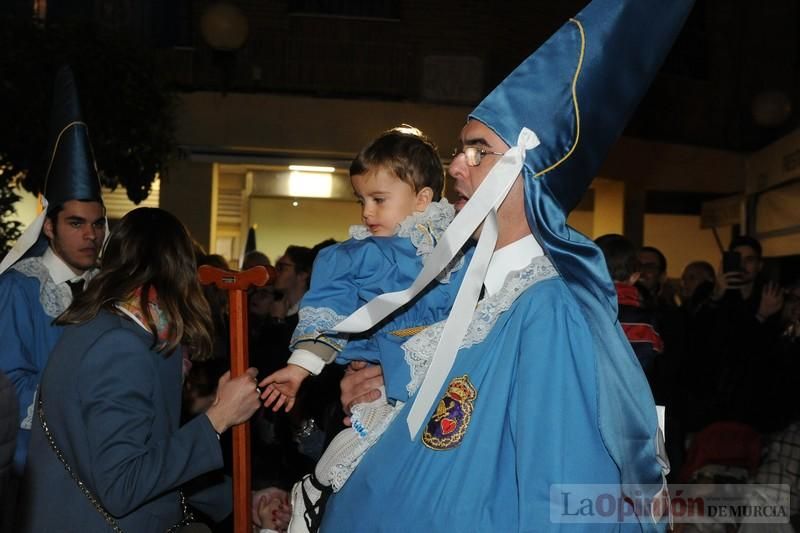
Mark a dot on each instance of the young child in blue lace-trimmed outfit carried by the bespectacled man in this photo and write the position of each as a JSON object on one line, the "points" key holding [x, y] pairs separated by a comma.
{"points": [[398, 179]]}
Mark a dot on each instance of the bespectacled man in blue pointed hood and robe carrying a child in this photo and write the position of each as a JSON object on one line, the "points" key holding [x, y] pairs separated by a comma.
{"points": [[535, 392]]}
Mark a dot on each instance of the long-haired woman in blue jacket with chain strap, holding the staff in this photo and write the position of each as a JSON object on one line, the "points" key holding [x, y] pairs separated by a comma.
{"points": [[107, 450]]}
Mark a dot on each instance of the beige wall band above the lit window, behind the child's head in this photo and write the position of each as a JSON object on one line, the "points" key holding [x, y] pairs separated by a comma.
{"points": [[273, 125]]}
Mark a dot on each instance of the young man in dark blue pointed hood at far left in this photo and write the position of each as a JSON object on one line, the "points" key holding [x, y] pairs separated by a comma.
{"points": [[55, 256]]}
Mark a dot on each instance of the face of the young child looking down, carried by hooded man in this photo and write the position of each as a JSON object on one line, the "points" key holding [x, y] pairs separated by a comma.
{"points": [[386, 200]]}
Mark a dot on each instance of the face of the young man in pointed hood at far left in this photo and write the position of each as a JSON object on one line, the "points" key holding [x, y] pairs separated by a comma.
{"points": [[77, 234]]}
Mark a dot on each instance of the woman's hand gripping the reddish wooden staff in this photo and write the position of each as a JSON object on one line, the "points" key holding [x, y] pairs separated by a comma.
{"points": [[237, 399]]}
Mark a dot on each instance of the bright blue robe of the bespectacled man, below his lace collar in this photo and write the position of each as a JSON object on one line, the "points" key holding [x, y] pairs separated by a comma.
{"points": [[533, 424]]}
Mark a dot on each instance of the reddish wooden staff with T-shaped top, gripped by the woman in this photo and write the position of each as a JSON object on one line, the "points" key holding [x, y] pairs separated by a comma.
{"points": [[237, 283]]}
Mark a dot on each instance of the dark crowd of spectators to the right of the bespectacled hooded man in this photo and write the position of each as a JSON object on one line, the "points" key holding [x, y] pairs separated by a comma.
{"points": [[721, 351]]}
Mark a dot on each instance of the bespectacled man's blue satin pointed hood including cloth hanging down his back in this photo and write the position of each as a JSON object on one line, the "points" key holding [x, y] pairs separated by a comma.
{"points": [[577, 91]]}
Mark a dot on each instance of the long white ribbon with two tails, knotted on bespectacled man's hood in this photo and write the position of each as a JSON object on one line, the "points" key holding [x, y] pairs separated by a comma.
{"points": [[481, 207]]}
